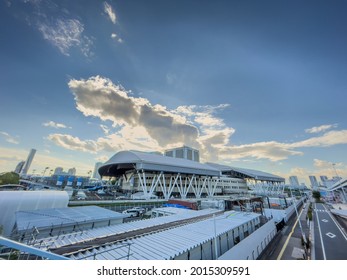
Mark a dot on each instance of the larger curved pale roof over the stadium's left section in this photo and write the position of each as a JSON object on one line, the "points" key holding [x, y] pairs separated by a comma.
{"points": [[127, 160]]}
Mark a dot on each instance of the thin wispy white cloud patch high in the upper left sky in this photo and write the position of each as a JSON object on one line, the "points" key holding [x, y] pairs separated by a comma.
{"points": [[65, 34]]}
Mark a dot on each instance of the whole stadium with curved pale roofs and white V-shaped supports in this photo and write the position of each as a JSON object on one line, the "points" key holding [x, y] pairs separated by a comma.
{"points": [[165, 176]]}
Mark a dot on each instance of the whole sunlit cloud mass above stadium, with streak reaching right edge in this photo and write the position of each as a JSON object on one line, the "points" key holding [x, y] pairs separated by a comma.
{"points": [[138, 124]]}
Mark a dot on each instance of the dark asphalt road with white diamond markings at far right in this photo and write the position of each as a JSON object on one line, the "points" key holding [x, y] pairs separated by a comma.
{"points": [[330, 242]]}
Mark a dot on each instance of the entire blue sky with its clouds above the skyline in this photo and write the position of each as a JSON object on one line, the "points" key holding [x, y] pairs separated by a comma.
{"points": [[253, 84]]}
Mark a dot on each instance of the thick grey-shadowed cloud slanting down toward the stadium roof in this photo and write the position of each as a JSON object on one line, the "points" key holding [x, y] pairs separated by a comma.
{"points": [[99, 97]]}
